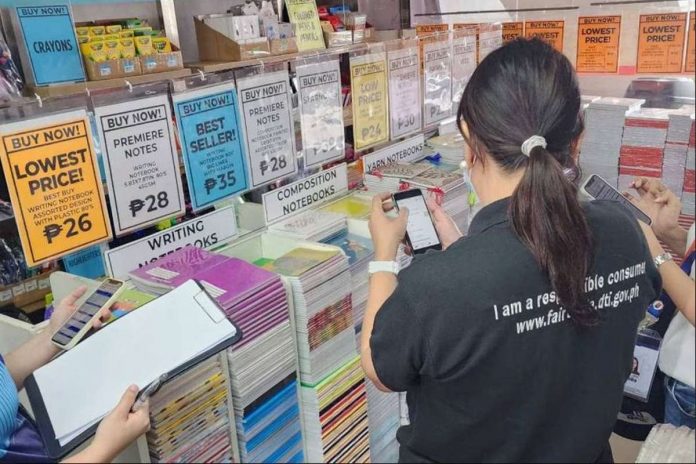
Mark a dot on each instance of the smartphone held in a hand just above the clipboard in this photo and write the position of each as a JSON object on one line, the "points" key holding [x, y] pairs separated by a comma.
{"points": [[81, 320]]}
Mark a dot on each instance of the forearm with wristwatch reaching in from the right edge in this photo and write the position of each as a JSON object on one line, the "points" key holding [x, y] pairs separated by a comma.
{"points": [[675, 282]]}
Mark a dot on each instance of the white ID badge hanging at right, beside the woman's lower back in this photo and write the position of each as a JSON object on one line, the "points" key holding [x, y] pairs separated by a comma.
{"points": [[644, 365]]}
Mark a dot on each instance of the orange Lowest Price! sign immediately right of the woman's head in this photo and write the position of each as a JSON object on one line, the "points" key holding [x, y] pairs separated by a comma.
{"points": [[598, 44]]}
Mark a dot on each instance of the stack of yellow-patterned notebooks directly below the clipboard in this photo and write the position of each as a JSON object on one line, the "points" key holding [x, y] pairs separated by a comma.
{"points": [[190, 419]]}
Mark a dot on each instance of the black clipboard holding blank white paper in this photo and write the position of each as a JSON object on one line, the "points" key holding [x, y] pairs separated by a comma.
{"points": [[71, 394]]}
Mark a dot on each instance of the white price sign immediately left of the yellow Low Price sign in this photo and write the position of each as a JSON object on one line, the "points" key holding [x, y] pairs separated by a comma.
{"points": [[321, 112]]}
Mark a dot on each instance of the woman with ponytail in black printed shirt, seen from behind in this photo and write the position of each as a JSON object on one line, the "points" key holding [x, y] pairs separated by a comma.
{"points": [[514, 342]]}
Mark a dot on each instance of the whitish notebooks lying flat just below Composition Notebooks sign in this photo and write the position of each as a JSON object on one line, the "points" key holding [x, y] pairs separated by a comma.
{"points": [[313, 226]]}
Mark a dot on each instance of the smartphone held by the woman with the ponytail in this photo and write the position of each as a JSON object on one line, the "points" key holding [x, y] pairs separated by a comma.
{"points": [[420, 230]]}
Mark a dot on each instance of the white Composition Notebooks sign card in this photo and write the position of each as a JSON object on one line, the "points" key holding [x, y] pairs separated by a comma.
{"points": [[305, 193]]}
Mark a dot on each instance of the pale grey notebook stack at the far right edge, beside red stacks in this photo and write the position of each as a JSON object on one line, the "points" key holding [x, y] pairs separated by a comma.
{"points": [[676, 146]]}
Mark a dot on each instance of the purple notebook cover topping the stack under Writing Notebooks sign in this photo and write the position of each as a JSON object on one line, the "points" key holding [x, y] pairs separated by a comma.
{"points": [[178, 267]]}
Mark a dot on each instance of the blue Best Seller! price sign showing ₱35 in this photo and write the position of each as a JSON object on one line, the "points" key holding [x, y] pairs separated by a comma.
{"points": [[211, 144]]}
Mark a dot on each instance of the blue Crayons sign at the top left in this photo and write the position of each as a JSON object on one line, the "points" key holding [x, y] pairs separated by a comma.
{"points": [[49, 36]]}
